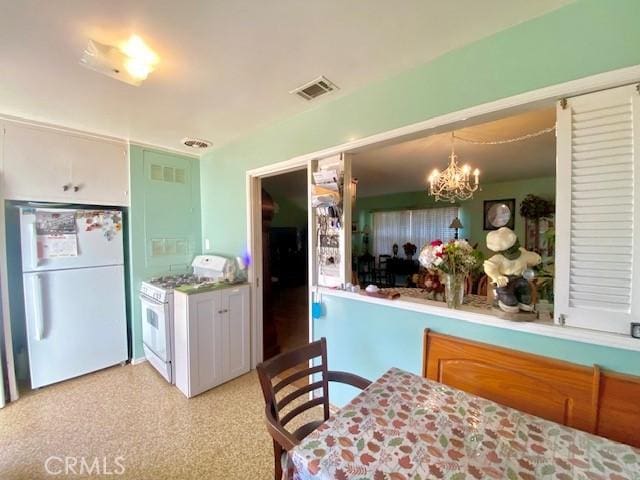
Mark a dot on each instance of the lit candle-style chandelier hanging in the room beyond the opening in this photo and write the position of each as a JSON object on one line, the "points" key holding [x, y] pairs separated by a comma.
{"points": [[454, 183]]}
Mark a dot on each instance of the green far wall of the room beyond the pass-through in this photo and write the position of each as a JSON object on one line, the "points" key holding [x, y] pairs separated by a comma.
{"points": [[471, 211]]}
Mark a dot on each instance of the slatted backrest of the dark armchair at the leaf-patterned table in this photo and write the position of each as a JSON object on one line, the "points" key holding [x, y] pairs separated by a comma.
{"points": [[274, 369]]}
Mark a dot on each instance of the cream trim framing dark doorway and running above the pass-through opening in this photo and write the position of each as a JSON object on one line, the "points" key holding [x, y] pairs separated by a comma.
{"points": [[500, 107]]}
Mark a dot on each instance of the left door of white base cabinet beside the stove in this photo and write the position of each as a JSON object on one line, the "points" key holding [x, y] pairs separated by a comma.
{"points": [[205, 332]]}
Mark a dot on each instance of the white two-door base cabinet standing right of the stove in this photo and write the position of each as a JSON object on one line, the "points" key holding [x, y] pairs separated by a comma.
{"points": [[212, 339]]}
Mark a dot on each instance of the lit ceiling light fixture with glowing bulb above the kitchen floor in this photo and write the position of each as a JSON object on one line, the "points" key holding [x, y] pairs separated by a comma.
{"points": [[131, 62]]}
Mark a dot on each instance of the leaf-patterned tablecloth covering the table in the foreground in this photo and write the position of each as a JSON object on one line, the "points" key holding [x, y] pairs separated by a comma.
{"points": [[406, 427]]}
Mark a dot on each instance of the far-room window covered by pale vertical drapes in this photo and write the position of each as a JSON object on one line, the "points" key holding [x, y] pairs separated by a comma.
{"points": [[415, 226]]}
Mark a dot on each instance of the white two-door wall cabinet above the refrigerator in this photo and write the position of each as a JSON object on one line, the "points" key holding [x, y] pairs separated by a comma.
{"points": [[44, 164]]}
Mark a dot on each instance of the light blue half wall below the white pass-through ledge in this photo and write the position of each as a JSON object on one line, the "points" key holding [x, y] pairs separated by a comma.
{"points": [[360, 340]]}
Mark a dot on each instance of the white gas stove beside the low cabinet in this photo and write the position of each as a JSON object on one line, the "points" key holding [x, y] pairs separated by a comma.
{"points": [[157, 302]]}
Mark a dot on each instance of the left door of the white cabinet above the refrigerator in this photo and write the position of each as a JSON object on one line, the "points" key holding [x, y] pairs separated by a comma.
{"points": [[36, 164]]}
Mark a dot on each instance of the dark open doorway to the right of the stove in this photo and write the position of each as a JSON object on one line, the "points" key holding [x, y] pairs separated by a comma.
{"points": [[285, 288]]}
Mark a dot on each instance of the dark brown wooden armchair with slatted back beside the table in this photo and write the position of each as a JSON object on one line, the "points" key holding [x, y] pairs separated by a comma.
{"points": [[283, 440]]}
